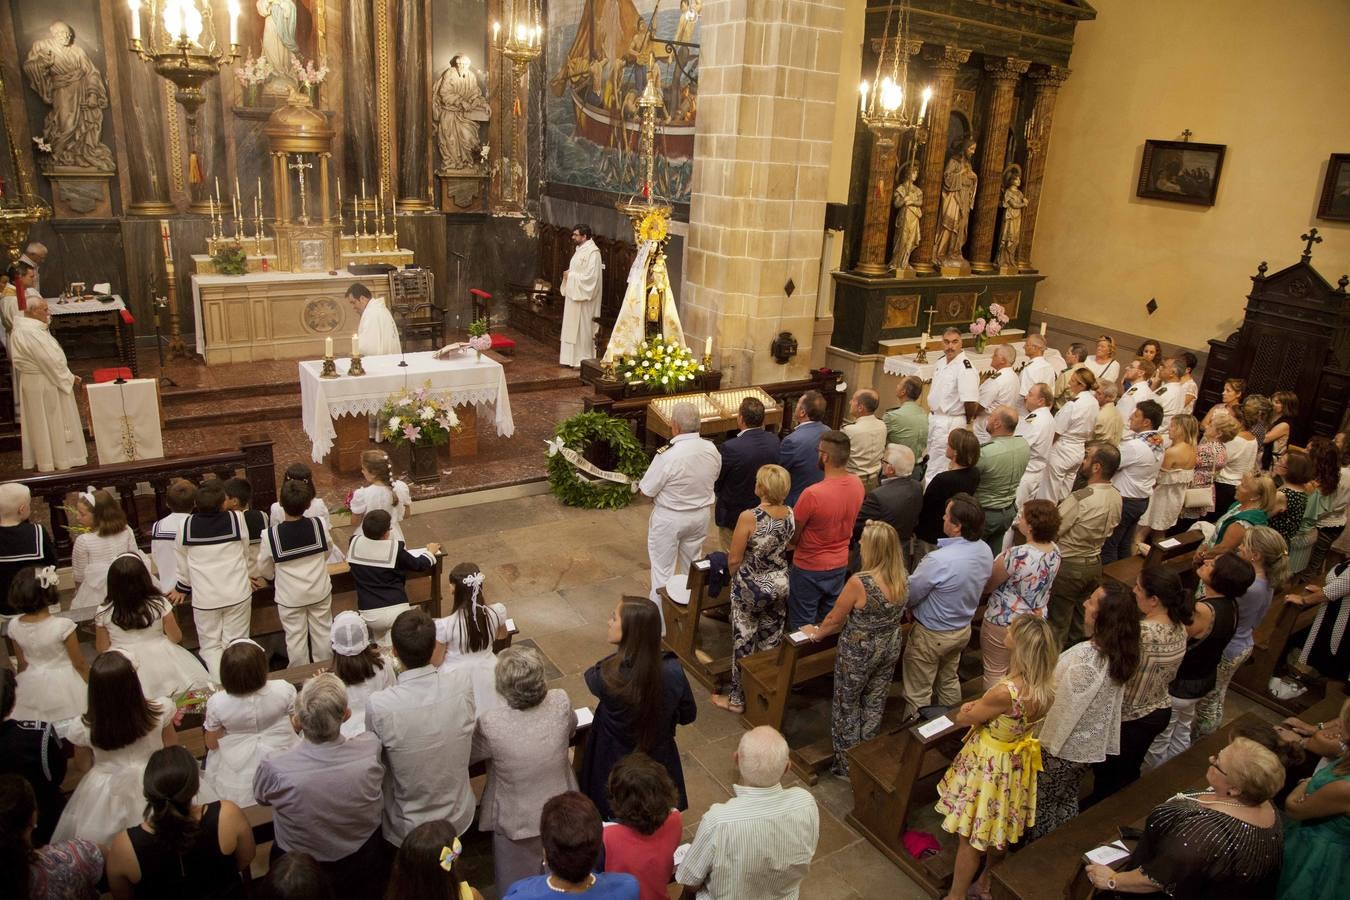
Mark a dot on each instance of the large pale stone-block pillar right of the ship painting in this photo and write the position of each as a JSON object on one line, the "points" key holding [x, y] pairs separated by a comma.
{"points": [[766, 115]]}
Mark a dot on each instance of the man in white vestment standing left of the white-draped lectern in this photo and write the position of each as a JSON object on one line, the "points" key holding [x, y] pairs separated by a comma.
{"points": [[52, 432]]}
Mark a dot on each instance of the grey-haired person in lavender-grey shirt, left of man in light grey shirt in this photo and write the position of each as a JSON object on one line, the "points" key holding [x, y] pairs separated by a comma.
{"points": [[327, 793]]}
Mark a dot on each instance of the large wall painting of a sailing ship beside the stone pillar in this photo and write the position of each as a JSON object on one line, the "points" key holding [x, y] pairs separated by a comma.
{"points": [[596, 67]]}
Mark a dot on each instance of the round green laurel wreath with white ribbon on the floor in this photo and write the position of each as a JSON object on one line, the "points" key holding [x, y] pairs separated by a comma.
{"points": [[578, 434]]}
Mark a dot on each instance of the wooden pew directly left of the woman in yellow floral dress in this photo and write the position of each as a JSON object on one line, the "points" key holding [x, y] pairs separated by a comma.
{"points": [[885, 774]]}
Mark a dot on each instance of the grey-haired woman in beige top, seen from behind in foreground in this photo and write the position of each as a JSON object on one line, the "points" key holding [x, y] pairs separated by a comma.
{"points": [[526, 744]]}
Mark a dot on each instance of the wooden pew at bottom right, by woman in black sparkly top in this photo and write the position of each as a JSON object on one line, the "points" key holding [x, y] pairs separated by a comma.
{"points": [[1052, 867]]}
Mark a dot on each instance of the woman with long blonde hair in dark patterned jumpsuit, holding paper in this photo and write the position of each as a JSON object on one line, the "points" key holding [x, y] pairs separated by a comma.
{"points": [[869, 617]]}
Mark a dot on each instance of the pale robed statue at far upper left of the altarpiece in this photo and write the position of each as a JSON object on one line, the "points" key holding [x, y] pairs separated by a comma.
{"points": [[67, 82]]}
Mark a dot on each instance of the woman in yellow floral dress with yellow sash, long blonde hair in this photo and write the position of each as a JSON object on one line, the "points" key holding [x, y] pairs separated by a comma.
{"points": [[989, 794]]}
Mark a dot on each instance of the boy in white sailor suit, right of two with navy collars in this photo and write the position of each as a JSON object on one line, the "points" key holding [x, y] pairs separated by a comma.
{"points": [[295, 554]]}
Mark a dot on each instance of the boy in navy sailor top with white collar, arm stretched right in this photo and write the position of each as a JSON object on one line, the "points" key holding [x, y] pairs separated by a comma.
{"points": [[377, 566]]}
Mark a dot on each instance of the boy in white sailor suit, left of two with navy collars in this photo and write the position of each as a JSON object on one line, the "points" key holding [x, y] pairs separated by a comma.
{"points": [[214, 570]]}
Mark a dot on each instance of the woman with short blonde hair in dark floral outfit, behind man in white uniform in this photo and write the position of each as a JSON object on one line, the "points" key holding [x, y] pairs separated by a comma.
{"points": [[759, 582]]}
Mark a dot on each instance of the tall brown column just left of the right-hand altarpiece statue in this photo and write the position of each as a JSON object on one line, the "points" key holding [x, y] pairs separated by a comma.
{"points": [[412, 111]]}
